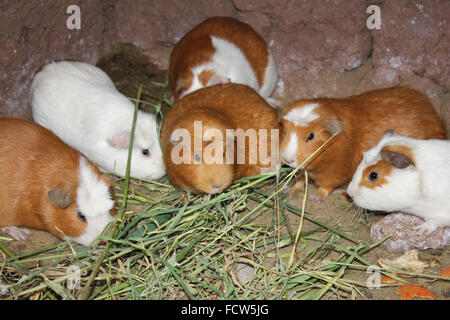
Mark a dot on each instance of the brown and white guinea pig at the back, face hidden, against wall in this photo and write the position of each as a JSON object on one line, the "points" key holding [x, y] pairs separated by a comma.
{"points": [[221, 50]]}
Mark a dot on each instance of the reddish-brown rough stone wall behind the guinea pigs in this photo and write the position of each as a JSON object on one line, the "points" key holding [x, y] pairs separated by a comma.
{"points": [[321, 47]]}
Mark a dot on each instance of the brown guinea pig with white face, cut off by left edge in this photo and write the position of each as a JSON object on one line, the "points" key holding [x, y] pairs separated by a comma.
{"points": [[47, 185]]}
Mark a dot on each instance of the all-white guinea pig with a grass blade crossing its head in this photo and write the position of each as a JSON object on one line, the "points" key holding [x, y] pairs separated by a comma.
{"points": [[81, 105]]}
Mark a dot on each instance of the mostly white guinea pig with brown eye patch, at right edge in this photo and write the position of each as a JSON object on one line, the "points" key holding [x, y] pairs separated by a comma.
{"points": [[405, 174]]}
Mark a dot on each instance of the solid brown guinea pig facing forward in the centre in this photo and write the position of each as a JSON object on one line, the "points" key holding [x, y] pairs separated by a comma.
{"points": [[217, 134]]}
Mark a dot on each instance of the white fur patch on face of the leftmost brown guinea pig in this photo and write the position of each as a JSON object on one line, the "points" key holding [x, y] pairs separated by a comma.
{"points": [[94, 202]]}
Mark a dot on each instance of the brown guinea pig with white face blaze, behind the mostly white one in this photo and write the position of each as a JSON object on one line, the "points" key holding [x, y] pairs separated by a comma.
{"points": [[359, 122]]}
